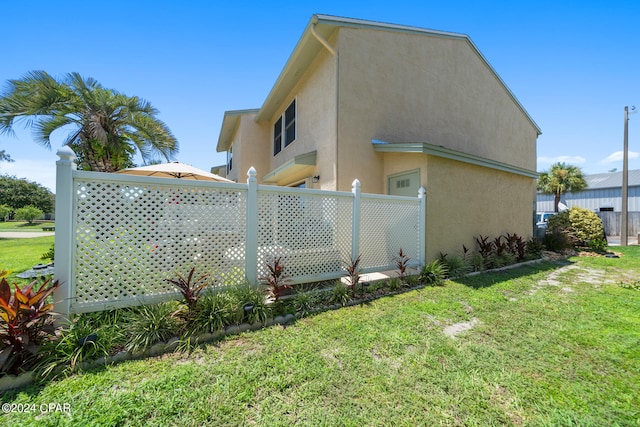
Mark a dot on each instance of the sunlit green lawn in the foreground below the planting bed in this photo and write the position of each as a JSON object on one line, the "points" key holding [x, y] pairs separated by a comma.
{"points": [[554, 344]]}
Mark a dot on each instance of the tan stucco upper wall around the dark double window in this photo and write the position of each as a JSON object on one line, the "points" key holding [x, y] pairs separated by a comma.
{"points": [[315, 95]]}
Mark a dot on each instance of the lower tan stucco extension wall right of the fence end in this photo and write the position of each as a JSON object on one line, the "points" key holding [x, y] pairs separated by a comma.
{"points": [[464, 201]]}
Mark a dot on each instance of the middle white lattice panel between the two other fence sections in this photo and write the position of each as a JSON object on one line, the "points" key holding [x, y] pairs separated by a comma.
{"points": [[311, 232]]}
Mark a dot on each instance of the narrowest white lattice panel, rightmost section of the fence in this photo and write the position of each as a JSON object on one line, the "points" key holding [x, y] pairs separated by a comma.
{"points": [[386, 225]]}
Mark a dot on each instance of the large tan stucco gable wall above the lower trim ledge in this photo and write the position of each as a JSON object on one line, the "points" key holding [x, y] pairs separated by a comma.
{"points": [[399, 87]]}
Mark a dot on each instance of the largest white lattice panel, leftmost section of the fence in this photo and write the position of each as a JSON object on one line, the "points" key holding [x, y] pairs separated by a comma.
{"points": [[131, 237]]}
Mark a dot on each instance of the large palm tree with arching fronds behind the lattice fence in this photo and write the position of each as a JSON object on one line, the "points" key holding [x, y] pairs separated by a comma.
{"points": [[106, 127]]}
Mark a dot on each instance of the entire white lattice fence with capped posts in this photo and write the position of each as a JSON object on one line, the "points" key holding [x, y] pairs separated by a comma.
{"points": [[119, 237]]}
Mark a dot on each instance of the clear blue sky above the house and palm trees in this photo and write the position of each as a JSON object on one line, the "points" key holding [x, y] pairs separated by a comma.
{"points": [[573, 65]]}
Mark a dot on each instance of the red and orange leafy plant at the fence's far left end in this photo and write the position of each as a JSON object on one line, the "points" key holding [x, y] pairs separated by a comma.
{"points": [[25, 321]]}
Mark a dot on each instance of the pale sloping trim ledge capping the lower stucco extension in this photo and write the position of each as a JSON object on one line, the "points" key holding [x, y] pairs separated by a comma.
{"points": [[447, 153]]}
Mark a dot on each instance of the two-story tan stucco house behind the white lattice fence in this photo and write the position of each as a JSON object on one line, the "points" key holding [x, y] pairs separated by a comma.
{"points": [[398, 108]]}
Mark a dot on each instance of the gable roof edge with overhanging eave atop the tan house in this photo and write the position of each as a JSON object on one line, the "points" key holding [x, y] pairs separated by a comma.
{"points": [[308, 47]]}
